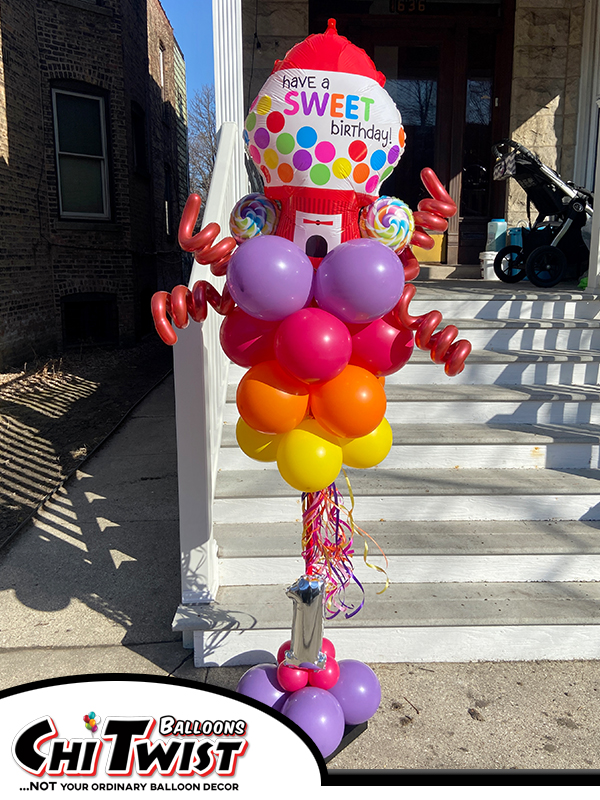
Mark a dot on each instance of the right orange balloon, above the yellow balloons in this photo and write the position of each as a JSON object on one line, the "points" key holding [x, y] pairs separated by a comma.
{"points": [[351, 404]]}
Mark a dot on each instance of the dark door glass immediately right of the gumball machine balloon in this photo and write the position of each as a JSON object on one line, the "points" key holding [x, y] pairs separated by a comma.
{"points": [[412, 82]]}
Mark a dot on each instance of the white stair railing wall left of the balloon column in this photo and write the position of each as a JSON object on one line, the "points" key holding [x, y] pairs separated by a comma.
{"points": [[201, 370]]}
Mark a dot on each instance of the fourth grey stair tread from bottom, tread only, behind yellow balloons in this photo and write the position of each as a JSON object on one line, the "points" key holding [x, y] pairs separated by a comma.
{"points": [[477, 434]]}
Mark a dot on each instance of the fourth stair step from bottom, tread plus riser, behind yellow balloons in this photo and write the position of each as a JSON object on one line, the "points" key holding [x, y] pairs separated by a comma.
{"points": [[492, 446]]}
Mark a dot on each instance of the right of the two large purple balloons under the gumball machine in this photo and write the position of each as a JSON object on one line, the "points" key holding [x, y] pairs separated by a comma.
{"points": [[359, 281]]}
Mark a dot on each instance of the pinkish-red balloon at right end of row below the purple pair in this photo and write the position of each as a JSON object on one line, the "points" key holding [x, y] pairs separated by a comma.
{"points": [[380, 347]]}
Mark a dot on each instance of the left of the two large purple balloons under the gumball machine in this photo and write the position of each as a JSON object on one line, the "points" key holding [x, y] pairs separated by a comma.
{"points": [[270, 277]]}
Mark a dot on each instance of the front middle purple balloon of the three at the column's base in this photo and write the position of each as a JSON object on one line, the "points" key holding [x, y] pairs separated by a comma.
{"points": [[319, 715]]}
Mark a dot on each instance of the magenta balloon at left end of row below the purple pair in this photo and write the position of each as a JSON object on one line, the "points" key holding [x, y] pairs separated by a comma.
{"points": [[247, 340]]}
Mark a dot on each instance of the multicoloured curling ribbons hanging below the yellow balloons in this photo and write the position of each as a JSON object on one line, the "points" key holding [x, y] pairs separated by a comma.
{"points": [[328, 547]]}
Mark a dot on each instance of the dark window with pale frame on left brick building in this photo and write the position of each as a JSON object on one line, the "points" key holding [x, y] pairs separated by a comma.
{"points": [[81, 154]]}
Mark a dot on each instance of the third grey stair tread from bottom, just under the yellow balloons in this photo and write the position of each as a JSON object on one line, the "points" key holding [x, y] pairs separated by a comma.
{"points": [[380, 482]]}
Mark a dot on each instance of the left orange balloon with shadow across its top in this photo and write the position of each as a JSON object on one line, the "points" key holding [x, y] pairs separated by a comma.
{"points": [[271, 400]]}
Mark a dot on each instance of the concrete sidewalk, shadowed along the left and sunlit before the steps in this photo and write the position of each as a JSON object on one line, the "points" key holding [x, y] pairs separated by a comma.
{"points": [[92, 583]]}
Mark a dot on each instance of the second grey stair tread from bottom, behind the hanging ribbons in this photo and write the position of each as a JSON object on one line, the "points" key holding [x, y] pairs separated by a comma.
{"points": [[431, 538]]}
